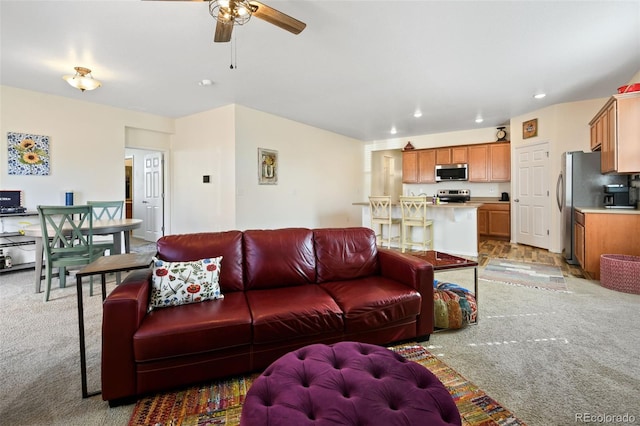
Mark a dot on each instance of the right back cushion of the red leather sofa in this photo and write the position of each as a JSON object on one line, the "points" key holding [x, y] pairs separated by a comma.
{"points": [[345, 253]]}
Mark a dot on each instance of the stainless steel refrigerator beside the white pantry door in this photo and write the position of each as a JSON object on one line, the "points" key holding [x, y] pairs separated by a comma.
{"points": [[580, 184]]}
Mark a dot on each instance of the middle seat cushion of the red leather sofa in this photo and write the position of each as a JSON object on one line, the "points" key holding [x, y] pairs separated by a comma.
{"points": [[284, 313]]}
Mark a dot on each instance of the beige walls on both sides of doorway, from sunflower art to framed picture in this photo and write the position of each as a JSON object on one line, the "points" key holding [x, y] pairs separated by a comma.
{"points": [[320, 175]]}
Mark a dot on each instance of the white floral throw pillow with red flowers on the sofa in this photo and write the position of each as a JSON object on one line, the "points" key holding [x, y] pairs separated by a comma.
{"points": [[181, 283]]}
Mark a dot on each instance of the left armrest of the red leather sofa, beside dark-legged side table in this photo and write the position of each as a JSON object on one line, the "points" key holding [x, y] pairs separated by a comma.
{"points": [[122, 313]]}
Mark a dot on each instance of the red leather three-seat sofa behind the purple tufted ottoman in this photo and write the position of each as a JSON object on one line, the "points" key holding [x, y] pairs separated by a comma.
{"points": [[283, 289]]}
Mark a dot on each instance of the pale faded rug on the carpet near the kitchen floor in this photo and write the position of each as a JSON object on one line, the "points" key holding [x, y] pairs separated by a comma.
{"points": [[535, 275]]}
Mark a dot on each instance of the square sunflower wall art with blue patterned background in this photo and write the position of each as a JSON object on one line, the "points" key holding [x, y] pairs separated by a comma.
{"points": [[28, 154]]}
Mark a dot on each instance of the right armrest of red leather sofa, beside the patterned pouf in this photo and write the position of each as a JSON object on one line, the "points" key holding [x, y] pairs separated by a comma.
{"points": [[415, 273]]}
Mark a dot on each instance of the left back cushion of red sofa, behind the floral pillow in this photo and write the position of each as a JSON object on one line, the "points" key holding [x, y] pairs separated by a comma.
{"points": [[175, 248]]}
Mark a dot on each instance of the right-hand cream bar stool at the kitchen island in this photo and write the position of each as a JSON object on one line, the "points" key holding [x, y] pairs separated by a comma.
{"points": [[414, 215]]}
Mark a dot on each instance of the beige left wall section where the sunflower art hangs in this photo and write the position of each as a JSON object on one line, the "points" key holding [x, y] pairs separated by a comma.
{"points": [[87, 143]]}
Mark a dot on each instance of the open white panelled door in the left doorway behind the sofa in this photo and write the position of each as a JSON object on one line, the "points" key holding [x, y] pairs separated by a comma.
{"points": [[153, 200]]}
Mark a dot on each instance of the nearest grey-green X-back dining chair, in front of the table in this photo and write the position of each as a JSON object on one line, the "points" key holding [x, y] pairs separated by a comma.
{"points": [[67, 238]]}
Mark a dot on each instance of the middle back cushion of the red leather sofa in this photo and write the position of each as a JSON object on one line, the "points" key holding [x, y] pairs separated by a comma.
{"points": [[279, 258]]}
